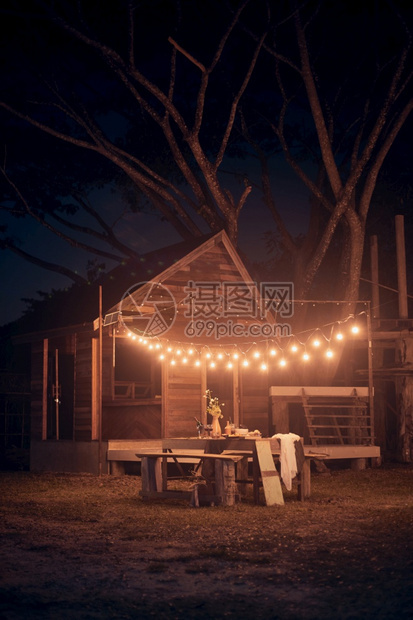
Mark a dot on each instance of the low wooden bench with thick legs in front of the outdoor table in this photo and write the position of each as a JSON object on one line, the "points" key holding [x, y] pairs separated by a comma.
{"points": [[218, 473]]}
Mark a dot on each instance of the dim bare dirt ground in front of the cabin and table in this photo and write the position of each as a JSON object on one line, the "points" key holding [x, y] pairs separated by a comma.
{"points": [[79, 546]]}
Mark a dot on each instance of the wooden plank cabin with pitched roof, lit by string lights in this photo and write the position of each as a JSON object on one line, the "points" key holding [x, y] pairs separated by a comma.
{"points": [[139, 372]]}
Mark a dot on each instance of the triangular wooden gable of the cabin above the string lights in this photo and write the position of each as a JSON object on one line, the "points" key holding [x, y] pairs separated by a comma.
{"points": [[196, 287]]}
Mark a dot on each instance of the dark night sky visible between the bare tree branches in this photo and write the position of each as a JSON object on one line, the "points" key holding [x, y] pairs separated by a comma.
{"points": [[142, 231]]}
